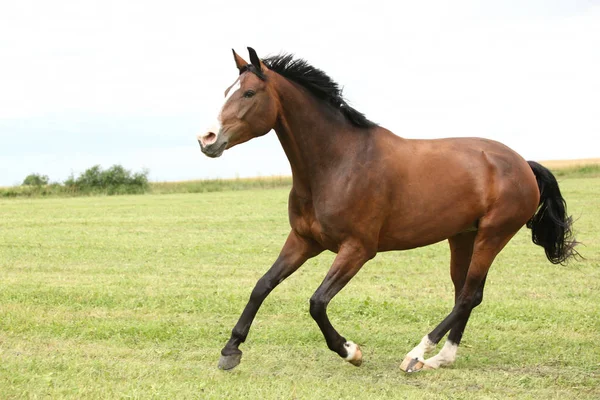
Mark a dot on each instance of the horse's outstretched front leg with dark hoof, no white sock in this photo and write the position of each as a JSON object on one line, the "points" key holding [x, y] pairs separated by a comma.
{"points": [[294, 253]]}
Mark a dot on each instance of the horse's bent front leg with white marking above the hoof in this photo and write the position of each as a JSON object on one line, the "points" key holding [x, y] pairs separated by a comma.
{"points": [[351, 257]]}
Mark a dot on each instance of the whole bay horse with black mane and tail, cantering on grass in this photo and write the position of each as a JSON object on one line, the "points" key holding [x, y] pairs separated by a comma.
{"points": [[359, 189]]}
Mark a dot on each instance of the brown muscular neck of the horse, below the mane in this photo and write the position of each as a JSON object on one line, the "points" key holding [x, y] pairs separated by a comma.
{"points": [[314, 139]]}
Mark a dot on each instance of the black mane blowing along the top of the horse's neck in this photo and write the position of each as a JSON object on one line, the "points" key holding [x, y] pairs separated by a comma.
{"points": [[318, 83]]}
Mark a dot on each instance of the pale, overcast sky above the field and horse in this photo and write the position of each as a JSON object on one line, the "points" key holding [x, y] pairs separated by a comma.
{"points": [[133, 82]]}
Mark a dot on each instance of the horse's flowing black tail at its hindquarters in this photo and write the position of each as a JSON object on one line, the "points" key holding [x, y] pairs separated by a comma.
{"points": [[551, 226]]}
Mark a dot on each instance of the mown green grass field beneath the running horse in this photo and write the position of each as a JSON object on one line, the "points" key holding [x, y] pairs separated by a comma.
{"points": [[134, 296]]}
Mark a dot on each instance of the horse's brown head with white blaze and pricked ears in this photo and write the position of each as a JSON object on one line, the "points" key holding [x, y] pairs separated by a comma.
{"points": [[249, 110]]}
